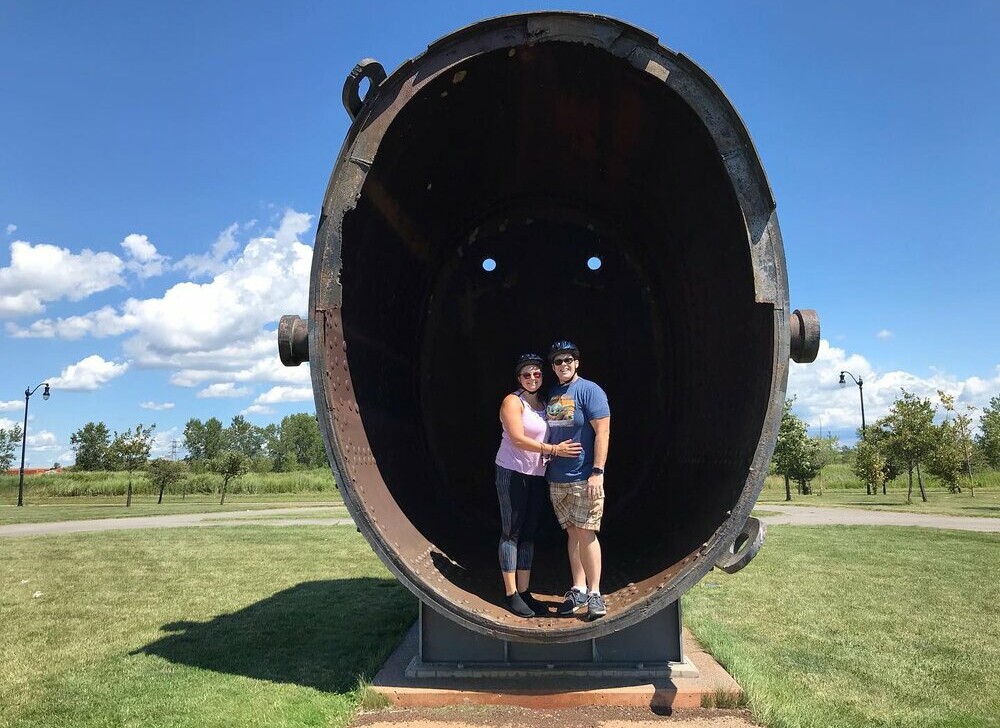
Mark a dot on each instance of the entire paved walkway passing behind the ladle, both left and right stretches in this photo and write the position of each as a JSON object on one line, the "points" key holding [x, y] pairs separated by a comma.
{"points": [[791, 515]]}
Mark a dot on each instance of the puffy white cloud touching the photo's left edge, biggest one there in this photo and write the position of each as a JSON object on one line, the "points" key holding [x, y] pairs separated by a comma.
{"points": [[41, 273]]}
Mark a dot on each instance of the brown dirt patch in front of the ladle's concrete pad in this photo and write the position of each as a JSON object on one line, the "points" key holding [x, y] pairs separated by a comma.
{"points": [[503, 716]]}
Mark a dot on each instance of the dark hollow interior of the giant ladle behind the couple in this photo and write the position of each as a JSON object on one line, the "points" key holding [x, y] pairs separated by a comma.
{"points": [[541, 160]]}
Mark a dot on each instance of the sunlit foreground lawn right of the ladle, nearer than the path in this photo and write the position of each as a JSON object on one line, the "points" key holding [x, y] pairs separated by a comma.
{"points": [[860, 626]]}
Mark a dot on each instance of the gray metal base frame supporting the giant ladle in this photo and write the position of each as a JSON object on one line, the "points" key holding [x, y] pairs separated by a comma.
{"points": [[651, 648]]}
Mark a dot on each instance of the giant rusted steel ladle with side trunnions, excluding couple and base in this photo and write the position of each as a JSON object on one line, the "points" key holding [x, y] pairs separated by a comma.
{"points": [[541, 141]]}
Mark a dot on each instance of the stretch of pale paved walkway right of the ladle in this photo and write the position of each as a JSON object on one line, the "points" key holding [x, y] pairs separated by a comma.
{"points": [[813, 516]]}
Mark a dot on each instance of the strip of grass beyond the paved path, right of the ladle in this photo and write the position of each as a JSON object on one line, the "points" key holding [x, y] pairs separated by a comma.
{"points": [[985, 503]]}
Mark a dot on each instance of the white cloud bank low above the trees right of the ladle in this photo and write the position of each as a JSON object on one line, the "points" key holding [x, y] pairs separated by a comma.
{"points": [[819, 397]]}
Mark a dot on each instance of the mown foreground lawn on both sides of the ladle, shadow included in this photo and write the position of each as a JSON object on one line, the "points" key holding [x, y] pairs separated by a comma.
{"points": [[251, 626]]}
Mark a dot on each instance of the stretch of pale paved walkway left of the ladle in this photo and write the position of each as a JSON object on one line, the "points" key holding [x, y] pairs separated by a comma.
{"points": [[262, 517]]}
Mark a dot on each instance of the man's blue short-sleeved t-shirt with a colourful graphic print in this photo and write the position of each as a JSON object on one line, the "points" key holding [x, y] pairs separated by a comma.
{"points": [[569, 412]]}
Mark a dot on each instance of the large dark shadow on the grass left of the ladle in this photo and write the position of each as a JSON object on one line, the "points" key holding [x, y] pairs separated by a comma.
{"points": [[326, 635]]}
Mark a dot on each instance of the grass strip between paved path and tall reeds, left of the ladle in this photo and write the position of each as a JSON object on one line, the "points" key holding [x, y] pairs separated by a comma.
{"points": [[79, 508]]}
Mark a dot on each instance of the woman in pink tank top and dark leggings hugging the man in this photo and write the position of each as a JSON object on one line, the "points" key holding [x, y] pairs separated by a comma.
{"points": [[521, 486]]}
